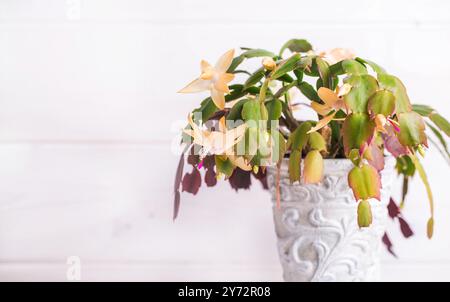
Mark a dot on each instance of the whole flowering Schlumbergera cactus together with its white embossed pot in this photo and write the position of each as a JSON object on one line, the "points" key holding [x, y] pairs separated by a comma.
{"points": [[330, 178]]}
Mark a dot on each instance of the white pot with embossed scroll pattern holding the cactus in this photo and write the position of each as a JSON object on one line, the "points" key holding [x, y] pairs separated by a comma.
{"points": [[316, 226]]}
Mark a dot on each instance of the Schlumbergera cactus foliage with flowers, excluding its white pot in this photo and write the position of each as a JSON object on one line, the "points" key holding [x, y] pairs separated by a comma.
{"points": [[363, 114]]}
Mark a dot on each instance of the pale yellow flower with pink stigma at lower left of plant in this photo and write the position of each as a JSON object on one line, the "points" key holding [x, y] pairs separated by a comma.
{"points": [[219, 142]]}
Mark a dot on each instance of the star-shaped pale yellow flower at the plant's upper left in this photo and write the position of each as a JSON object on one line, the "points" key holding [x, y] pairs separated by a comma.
{"points": [[213, 78]]}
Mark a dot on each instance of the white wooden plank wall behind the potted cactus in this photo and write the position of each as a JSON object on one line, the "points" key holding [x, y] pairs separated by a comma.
{"points": [[87, 106]]}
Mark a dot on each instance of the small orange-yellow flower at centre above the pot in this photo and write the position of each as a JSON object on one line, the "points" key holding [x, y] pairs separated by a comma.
{"points": [[334, 101]]}
